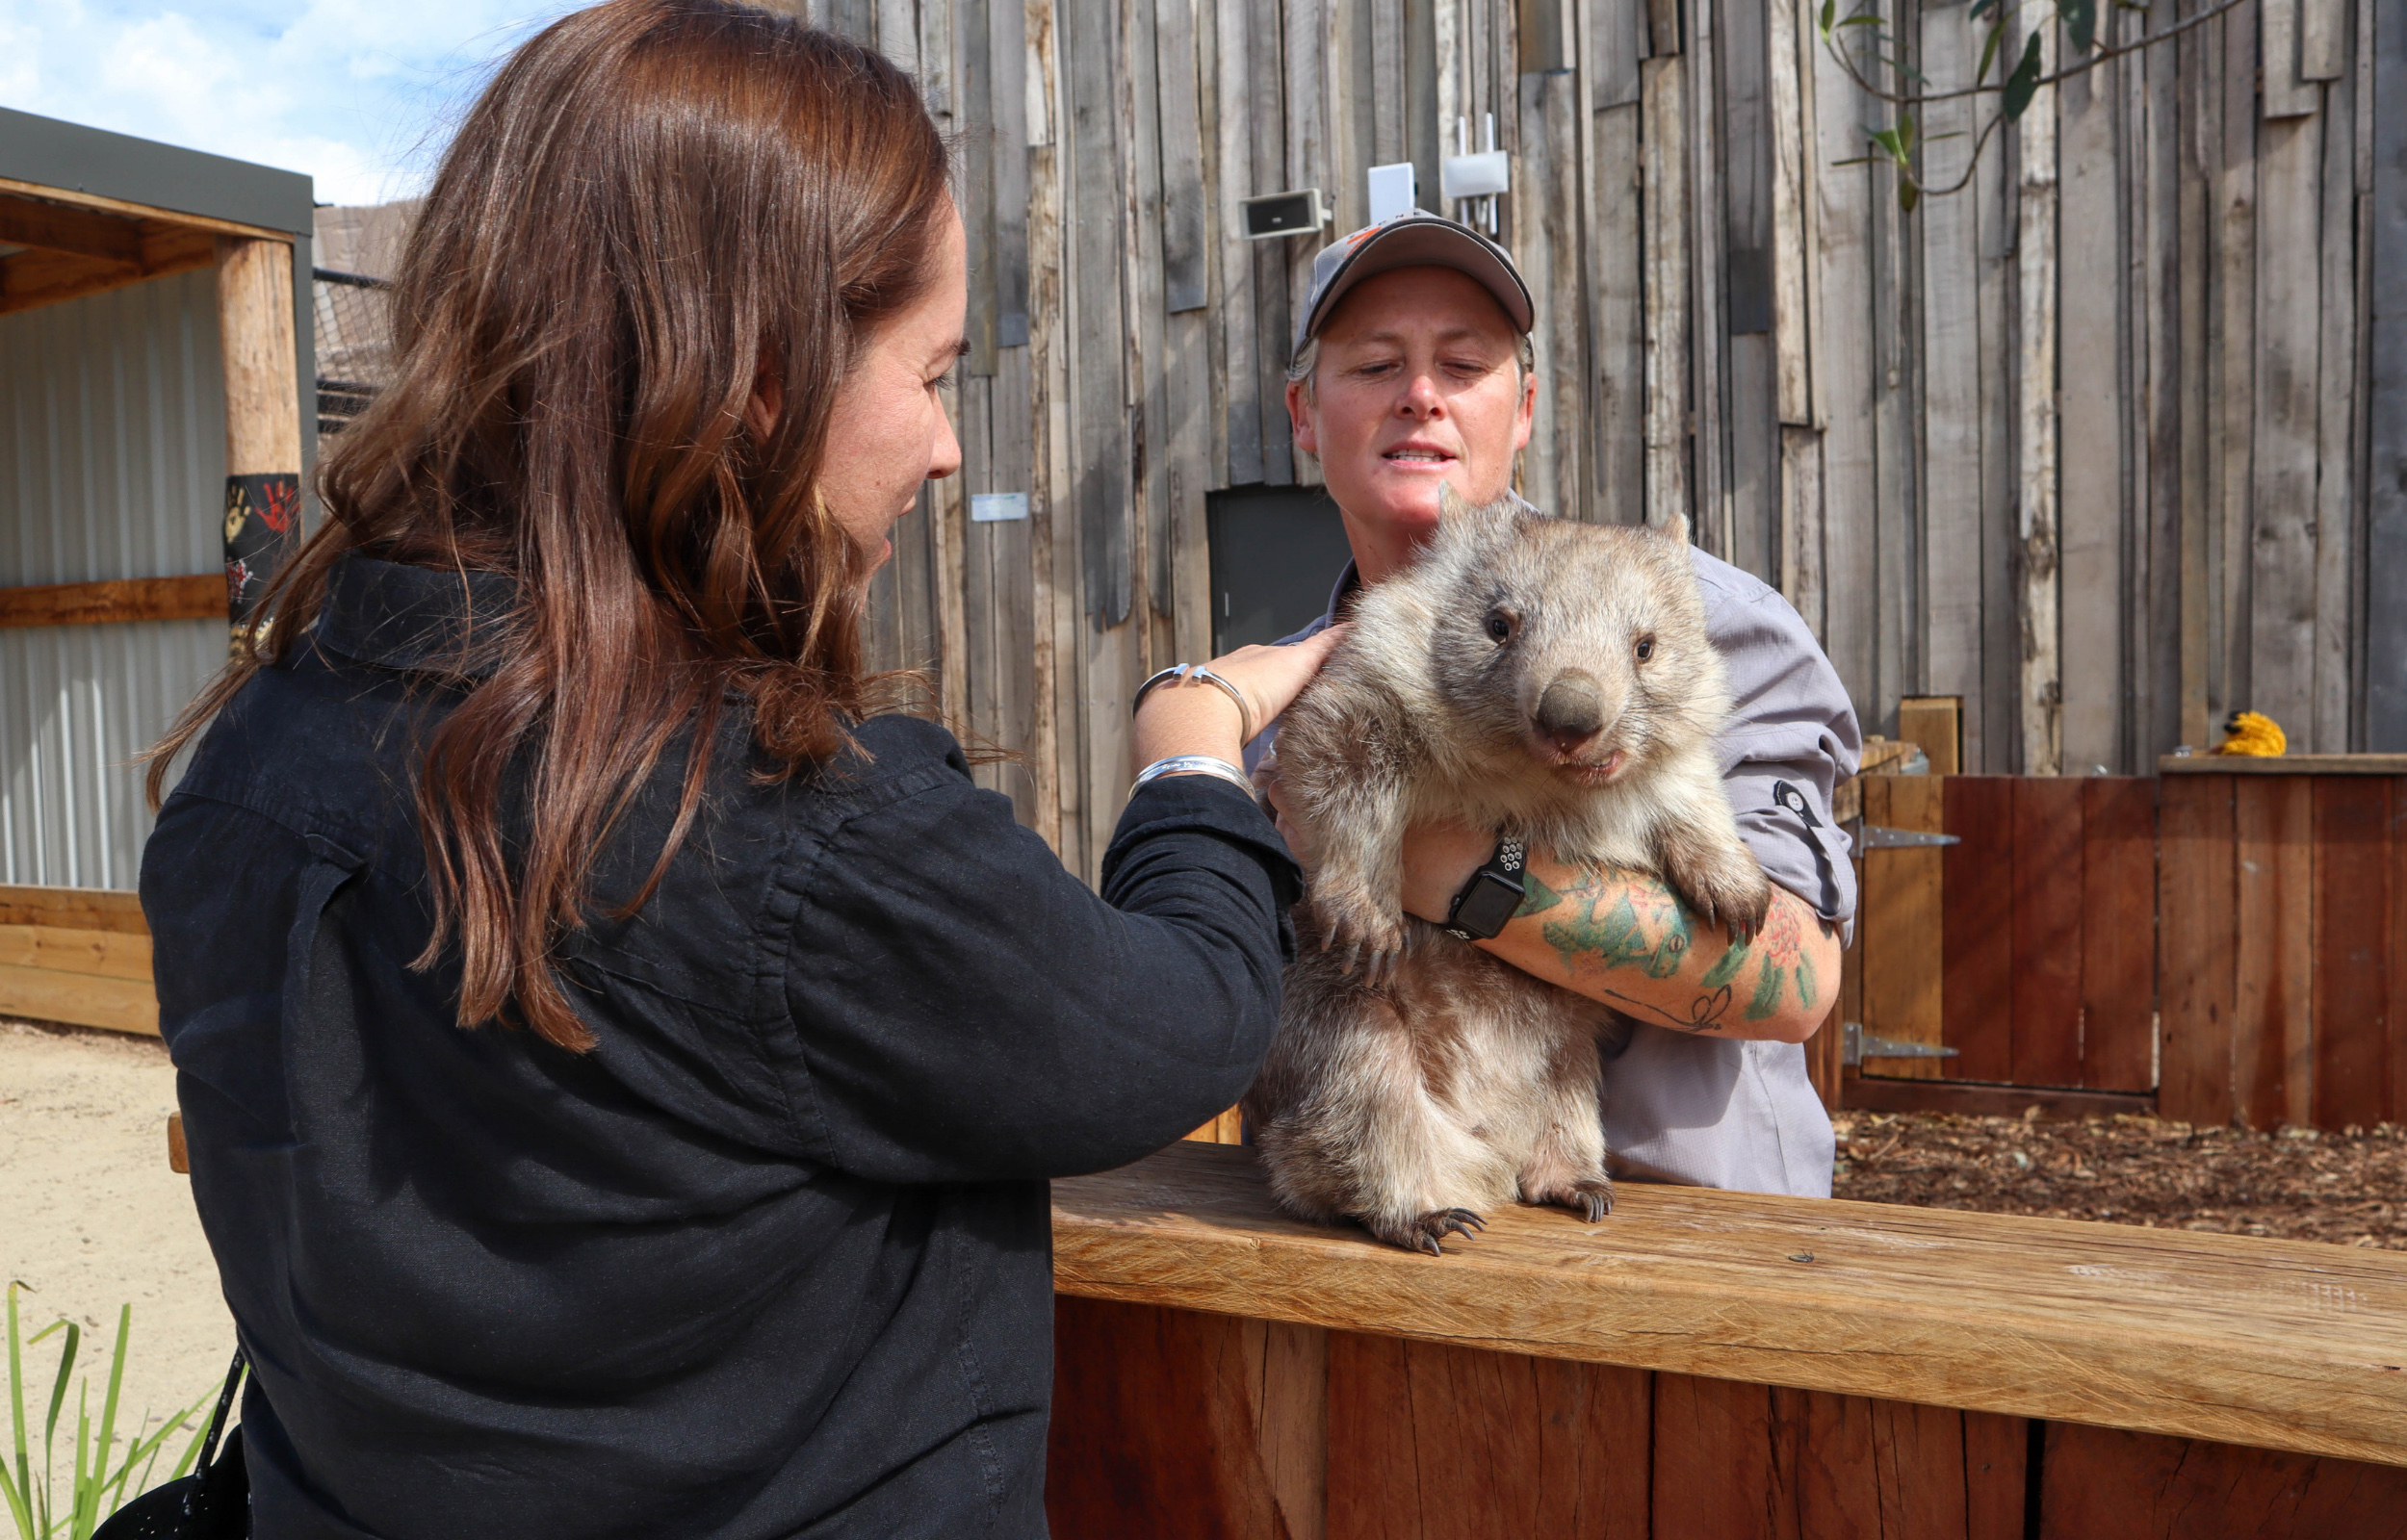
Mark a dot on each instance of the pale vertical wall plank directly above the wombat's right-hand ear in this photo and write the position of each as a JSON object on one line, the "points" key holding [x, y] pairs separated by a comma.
{"points": [[1664, 199]]}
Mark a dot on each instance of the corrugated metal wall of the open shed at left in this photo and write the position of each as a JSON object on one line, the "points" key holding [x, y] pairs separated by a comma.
{"points": [[112, 458]]}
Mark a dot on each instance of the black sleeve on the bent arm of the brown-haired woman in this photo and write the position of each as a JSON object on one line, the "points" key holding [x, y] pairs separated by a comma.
{"points": [[971, 1012]]}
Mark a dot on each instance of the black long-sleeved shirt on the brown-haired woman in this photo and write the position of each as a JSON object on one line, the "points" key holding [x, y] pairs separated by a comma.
{"points": [[774, 1260]]}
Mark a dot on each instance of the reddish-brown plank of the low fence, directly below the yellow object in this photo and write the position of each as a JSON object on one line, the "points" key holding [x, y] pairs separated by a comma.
{"points": [[2273, 1062]]}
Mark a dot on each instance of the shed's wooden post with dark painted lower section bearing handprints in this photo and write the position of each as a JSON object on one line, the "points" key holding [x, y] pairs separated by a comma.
{"points": [[264, 415]]}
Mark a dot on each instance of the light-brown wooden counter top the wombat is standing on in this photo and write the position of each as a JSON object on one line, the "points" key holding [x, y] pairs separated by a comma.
{"points": [[2249, 1341]]}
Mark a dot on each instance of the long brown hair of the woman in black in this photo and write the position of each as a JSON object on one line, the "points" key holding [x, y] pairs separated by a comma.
{"points": [[656, 208]]}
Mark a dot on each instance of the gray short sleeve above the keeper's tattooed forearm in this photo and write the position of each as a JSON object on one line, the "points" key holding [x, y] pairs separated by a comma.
{"points": [[1792, 725]]}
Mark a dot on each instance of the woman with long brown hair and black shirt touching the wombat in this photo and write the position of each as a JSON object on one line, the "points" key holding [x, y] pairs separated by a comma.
{"points": [[622, 1060]]}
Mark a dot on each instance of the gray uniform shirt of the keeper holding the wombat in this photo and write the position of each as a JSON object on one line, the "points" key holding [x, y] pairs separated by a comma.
{"points": [[1715, 1110]]}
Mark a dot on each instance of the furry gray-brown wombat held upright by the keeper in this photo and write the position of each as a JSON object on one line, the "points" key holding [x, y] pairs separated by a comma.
{"points": [[1544, 680]]}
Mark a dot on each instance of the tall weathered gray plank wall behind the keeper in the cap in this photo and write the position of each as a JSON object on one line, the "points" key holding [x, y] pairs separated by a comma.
{"points": [[2100, 444]]}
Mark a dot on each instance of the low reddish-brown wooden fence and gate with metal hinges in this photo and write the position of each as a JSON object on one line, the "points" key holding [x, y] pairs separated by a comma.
{"points": [[2228, 942]]}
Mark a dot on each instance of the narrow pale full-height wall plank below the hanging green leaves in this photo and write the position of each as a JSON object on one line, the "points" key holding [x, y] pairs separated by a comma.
{"points": [[2035, 422]]}
